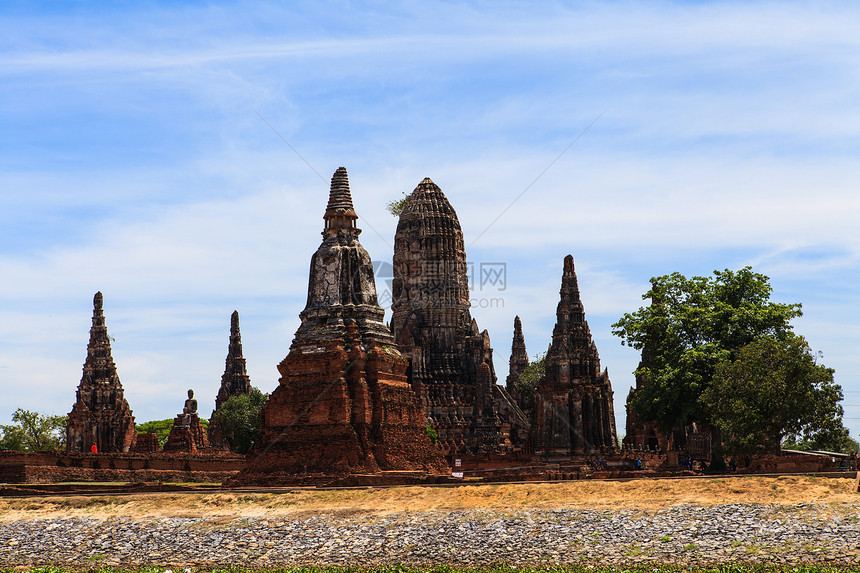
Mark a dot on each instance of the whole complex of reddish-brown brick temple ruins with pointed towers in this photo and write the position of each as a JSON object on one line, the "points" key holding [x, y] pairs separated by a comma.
{"points": [[362, 403]]}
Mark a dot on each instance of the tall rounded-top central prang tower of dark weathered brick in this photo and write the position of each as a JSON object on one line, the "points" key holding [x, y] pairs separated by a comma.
{"points": [[435, 331]]}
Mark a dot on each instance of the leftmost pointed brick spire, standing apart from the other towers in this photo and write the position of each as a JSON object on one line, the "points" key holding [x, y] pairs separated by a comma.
{"points": [[101, 416]]}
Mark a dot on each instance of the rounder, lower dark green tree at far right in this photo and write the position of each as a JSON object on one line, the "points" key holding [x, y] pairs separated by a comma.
{"points": [[774, 388]]}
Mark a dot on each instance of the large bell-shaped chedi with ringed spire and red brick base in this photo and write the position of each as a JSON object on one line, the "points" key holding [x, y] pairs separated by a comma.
{"points": [[343, 405]]}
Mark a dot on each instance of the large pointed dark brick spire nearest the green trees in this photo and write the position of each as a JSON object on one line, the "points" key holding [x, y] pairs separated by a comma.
{"points": [[574, 413]]}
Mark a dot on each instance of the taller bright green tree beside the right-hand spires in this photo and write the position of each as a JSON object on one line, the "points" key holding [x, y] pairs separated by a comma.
{"points": [[690, 327]]}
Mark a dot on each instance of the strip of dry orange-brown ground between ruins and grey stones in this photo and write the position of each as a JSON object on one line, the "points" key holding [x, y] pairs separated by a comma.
{"points": [[641, 494]]}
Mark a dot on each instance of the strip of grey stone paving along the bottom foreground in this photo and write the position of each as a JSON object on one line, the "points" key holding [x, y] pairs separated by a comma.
{"points": [[802, 533]]}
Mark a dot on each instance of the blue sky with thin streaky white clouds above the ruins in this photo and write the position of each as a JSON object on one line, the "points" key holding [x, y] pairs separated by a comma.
{"points": [[137, 158]]}
